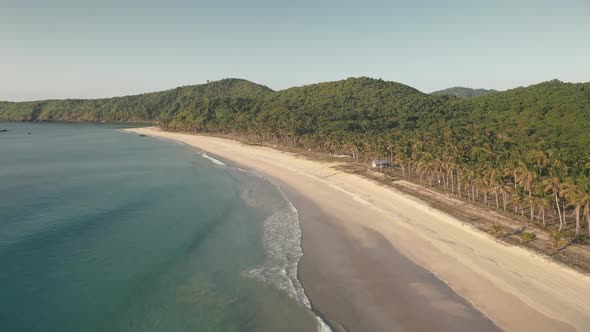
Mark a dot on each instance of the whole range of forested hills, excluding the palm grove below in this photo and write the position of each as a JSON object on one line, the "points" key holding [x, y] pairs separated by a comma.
{"points": [[354, 113]]}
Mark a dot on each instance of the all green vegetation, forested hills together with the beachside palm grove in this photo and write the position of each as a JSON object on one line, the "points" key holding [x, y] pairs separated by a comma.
{"points": [[524, 150]]}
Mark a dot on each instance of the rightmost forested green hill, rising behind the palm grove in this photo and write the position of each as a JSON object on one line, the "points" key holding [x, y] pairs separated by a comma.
{"points": [[553, 114]]}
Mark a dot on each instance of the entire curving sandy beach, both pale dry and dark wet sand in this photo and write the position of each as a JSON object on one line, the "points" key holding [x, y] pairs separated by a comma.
{"points": [[378, 260]]}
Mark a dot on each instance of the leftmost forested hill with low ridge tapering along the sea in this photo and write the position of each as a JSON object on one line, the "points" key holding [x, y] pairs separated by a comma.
{"points": [[143, 107]]}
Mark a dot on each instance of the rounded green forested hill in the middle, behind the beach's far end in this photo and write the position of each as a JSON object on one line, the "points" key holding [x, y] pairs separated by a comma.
{"points": [[312, 112]]}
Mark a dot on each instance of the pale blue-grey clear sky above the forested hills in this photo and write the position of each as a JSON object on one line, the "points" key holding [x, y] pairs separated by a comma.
{"points": [[91, 49]]}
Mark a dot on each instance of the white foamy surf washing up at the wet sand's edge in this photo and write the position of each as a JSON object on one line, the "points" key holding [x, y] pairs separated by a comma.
{"points": [[282, 242]]}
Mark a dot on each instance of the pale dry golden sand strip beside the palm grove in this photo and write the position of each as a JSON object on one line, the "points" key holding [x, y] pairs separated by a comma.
{"points": [[518, 290]]}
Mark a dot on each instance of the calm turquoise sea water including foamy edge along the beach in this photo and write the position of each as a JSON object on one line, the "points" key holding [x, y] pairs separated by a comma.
{"points": [[102, 230]]}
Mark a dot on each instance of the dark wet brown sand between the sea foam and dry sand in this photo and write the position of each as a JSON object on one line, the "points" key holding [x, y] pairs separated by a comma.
{"points": [[360, 287]]}
